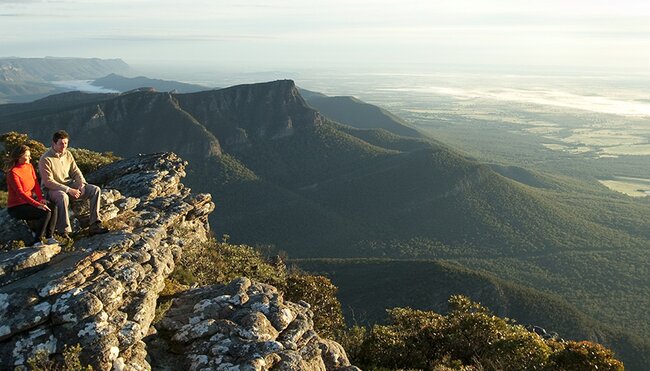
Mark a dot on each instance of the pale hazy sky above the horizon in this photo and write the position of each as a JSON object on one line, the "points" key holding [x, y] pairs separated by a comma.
{"points": [[376, 35]]}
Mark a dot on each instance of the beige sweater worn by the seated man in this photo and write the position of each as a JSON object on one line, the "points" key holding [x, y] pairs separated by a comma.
{"points": [[59, 171]]}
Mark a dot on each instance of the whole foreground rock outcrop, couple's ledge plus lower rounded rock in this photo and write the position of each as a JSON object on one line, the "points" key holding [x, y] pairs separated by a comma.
{"points": [[102, 295]]}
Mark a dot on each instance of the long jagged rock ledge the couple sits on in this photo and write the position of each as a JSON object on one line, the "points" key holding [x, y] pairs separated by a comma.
{"points": [[103, 294]]}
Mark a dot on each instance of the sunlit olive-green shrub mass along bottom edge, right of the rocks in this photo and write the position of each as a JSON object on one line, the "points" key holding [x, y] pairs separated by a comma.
{"points": [[469, 337]]}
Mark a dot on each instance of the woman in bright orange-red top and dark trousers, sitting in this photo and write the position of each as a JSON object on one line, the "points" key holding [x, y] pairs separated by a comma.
{"points": [[22, 186]]}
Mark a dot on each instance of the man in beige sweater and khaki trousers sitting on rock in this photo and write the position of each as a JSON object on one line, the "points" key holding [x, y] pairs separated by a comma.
{"points": [[63, 182]]}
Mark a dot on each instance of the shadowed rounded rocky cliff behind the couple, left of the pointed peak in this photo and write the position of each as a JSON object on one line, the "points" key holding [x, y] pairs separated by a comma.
{"points": [[127, 124]]}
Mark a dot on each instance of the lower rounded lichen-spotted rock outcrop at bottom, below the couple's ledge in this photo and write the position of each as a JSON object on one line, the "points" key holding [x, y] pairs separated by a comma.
{"points": [[242, 326]]}
